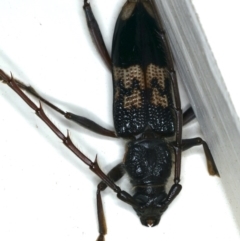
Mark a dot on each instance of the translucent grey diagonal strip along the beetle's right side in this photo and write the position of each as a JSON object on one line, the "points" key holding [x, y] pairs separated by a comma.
{"points": [[207, 92]]}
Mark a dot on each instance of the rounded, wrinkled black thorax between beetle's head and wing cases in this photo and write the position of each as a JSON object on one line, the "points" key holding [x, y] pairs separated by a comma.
{"points": [[148, 162]]}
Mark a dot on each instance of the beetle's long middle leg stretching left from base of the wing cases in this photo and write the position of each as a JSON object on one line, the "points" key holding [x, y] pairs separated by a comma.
{"points": [[82, 121]]}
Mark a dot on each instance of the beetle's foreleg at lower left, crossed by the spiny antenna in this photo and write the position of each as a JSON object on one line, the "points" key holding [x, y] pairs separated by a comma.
{"points": [[115, 174]]}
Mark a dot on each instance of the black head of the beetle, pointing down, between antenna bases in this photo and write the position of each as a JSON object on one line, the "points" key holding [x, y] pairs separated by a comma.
{"points": [[150, 209]]}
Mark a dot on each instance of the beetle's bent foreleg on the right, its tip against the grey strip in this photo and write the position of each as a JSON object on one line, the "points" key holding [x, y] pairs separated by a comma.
{"points": [[188, 143]]}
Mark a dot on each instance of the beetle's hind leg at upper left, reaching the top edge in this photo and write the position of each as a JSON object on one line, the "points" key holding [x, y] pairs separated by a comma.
{"points": [[96, 34]]}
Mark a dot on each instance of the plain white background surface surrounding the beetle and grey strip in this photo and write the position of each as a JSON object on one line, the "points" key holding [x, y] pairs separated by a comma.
{"points": [[45, 192]]}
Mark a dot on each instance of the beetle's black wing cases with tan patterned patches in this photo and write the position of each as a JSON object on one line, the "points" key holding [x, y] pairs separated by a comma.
{"points": [[141, 81]]}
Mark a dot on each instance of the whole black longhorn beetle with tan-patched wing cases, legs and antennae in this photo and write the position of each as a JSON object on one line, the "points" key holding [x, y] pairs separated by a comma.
{"points": [[146, 111]]}
